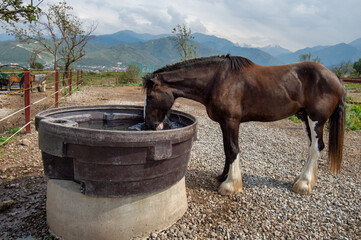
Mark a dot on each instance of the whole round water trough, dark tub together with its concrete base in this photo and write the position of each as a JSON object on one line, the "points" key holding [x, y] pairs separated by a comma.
{"points": [[107, 182]]}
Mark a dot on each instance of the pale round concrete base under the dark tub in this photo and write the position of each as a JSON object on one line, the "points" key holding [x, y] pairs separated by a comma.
{"points": [[72, 215]]}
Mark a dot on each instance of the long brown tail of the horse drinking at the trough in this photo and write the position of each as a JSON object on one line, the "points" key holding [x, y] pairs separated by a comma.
{"points": [[336, 136]]}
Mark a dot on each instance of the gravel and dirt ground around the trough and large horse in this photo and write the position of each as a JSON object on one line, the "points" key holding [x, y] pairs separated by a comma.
{"points": [[272, 155]]}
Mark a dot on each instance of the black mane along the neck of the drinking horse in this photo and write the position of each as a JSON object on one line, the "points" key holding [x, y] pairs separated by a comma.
{"points": [[235, 63]]}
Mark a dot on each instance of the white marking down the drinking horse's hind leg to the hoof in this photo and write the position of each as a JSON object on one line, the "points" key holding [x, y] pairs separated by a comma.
{"points": [[307, 179]]}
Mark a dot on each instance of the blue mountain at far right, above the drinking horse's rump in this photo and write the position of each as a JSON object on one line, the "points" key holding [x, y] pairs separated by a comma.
{"points": [[329, 55]]}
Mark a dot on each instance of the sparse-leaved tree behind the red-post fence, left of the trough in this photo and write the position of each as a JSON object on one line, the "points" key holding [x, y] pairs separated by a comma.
{"points": [[58, 32]]}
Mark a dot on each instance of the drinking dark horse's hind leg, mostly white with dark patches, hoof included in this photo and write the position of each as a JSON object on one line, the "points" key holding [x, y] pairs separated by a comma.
{"points": [[307, 179]]}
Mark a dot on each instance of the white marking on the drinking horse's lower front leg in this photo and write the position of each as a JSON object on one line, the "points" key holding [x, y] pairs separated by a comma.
{"points": [[233, 183]]}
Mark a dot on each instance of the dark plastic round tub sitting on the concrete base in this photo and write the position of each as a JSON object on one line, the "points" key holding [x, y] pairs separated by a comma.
{"points": [[111, 163]]}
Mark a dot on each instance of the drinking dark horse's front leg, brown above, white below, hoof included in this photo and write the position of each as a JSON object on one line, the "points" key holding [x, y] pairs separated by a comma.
{"points": [[233, 183]]}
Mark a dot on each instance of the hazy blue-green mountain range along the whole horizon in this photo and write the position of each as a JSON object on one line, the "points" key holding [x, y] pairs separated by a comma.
{"points": [[128, 47]]}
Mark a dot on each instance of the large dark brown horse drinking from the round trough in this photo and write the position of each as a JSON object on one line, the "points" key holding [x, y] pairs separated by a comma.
{"points": [[235, 90]]}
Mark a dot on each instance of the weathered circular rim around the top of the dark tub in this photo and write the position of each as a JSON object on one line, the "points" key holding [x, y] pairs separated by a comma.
{"points": [[110, 137]]}
